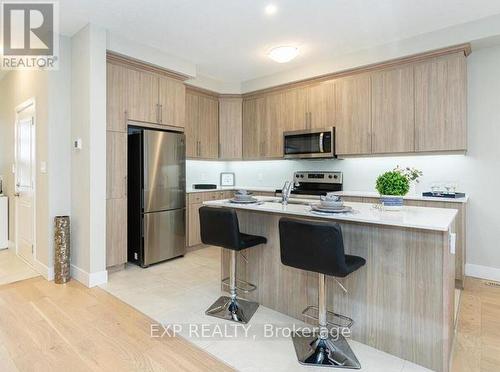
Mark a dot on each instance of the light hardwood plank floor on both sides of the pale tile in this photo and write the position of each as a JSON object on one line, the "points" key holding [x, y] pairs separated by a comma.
{"points": [[46, 327]]}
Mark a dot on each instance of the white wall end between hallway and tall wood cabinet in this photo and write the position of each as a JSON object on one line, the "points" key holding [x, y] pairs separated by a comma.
{"points": [[88, 166]]}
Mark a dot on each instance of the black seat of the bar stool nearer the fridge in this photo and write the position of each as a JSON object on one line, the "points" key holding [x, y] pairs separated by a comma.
{"points": [[220, 227]]}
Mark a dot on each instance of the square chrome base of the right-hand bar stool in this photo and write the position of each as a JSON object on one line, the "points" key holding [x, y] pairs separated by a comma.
{"points": [[331, 352]]}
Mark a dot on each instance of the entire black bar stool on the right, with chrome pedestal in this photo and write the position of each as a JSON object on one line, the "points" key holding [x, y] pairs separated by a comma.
{"points": [[319, 247]]}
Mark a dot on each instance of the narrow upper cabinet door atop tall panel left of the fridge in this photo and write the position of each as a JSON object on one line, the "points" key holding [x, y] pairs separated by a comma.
{"points": [[116, 98]]}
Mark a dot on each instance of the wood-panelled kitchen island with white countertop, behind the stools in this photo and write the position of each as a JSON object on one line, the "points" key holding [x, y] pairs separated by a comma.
{"points": [[401, 300]]}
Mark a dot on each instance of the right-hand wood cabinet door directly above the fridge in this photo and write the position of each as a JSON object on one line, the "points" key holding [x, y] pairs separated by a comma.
{"points": [[172, 98]]}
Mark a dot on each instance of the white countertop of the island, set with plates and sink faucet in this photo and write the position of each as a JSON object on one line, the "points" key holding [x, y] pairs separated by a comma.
{"points": [[438, 219]]}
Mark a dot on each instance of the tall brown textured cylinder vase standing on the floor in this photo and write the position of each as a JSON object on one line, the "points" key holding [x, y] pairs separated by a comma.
{"points": [[62, 251]]}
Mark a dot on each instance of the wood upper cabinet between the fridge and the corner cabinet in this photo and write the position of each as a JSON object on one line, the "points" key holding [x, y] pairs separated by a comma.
{"points": [[202, 126]]}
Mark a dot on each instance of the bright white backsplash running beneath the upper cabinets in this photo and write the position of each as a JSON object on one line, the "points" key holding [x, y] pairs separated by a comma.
{"points": [[359, 173]]}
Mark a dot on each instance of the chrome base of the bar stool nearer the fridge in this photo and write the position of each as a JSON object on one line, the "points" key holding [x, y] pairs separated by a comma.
{"points": [[237, 310]]}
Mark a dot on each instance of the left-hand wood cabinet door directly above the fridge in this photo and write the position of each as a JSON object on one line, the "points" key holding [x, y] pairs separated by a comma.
{"points": [[142, 94]]}
